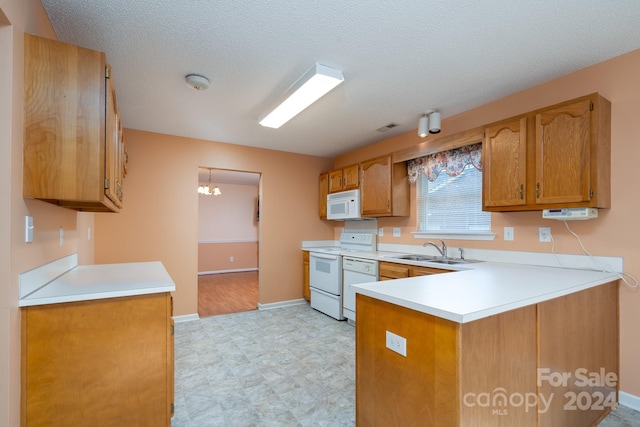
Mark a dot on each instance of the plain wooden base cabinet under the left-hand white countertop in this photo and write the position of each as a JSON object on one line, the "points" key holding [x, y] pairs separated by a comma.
{"points": [[105, 362]]}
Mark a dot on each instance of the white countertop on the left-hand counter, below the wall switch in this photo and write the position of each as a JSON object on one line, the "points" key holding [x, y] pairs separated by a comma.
{"points": [[90, 282]]}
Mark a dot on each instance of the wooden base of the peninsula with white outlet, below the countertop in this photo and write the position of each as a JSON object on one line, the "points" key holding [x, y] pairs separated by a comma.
{"points": [[484, 372]]}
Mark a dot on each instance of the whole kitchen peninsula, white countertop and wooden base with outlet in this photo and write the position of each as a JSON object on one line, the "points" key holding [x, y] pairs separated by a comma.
{"points": [[493, 344]]}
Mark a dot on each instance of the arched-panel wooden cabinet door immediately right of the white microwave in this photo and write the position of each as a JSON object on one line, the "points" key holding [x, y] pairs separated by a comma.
{"points": [[375, 186]]}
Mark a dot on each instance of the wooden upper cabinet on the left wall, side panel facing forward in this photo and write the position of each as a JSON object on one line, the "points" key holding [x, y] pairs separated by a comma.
{"points": [[73, 154]]}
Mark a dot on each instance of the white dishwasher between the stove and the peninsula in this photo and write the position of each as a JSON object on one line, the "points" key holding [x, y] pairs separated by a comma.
{"points": [[355, 271]]}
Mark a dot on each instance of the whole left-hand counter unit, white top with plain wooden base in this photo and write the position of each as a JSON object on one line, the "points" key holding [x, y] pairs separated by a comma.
{"points": [[97, 345]]}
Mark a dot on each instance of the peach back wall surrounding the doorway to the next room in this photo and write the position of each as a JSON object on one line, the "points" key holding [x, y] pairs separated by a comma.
{"points": [[160, 217]]}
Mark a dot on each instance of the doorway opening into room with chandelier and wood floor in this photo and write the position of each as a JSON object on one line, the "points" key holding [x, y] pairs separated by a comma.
{"points": [[228, 237]]}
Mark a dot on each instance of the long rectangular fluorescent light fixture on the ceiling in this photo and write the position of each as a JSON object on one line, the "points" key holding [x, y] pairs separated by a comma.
{"points": [[314, 84]]}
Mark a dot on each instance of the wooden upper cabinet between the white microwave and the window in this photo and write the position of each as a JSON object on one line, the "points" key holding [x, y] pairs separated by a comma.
{"points": [[384, 188]]}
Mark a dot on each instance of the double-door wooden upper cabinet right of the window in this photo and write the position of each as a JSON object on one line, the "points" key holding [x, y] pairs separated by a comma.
{"points": [[568, 158]]}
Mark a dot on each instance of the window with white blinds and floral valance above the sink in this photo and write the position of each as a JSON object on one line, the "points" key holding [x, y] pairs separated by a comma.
{"points": [[449, 195]]}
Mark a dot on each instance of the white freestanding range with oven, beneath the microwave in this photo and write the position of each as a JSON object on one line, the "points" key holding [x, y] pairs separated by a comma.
{"points": [[325, 271]]}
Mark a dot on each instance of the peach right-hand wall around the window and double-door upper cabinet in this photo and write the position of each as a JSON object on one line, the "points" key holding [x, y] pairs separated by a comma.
{"points": [[614, 233]]}
